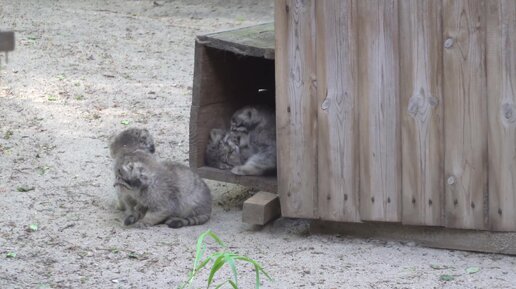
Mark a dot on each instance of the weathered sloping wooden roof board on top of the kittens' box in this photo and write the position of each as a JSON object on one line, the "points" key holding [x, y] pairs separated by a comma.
{"points": [[257, 41]]}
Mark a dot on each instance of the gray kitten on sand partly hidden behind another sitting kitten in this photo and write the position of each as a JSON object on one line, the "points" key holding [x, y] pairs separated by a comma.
{"points": [[128, 141]]}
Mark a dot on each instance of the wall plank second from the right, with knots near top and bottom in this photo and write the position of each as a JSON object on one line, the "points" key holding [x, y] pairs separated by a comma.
{"points": [[465, 103]]}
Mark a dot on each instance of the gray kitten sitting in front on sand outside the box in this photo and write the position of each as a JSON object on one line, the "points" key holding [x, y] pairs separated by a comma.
{"points": [[165, 192]]}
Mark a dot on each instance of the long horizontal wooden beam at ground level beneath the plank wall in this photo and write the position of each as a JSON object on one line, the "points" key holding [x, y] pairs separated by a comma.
{"points": [[470, 240]]}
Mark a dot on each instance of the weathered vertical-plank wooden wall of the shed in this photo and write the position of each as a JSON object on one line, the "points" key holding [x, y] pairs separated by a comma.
{"points": [[397, 111]]}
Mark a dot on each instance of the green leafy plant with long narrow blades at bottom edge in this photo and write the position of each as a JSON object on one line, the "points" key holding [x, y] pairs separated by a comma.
{"points": [[218, 260]]}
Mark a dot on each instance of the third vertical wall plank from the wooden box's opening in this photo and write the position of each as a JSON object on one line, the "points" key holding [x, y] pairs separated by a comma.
{"points": [[378, 87]]}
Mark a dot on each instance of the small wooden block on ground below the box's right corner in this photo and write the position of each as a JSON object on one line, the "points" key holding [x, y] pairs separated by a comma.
{"points": [[261, 208]]}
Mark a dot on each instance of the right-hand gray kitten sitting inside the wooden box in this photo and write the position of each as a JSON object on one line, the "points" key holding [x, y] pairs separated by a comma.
{"points": [[254, 129]]}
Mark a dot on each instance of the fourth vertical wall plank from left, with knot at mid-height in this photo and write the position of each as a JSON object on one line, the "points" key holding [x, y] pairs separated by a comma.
{"points": [[421, 112]]}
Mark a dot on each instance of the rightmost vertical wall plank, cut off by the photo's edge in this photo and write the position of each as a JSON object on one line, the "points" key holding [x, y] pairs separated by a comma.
{"points": [[501, 87]]}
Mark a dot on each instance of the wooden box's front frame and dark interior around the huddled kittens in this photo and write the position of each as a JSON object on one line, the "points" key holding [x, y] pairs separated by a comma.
{"points": [[223, 83]]}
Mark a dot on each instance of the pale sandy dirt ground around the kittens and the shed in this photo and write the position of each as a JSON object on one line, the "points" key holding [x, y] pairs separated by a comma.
{"points": [[80, 70]]}
